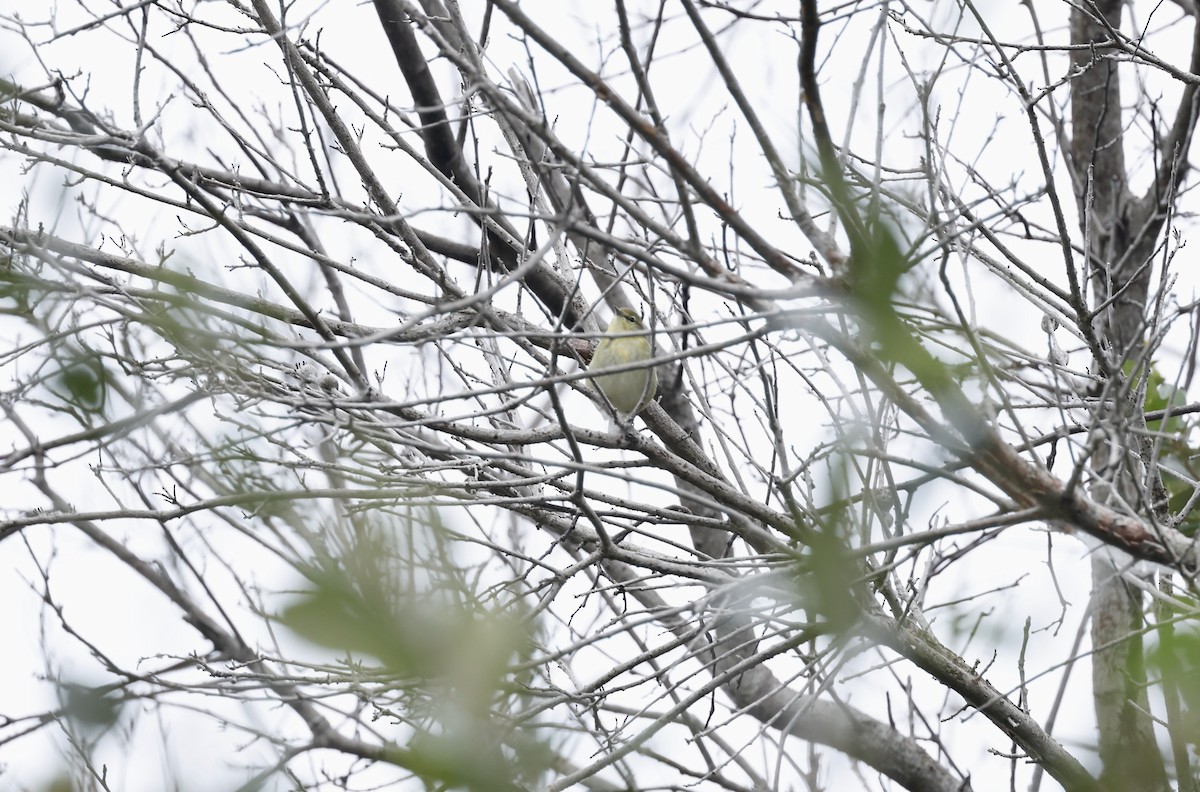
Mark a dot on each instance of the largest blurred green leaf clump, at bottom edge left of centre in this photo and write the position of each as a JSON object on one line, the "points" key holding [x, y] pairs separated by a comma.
{"points": [[449, 667]]}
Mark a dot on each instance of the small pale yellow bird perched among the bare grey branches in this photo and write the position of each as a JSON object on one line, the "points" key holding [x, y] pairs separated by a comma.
{"points": [[628, 392]]}
